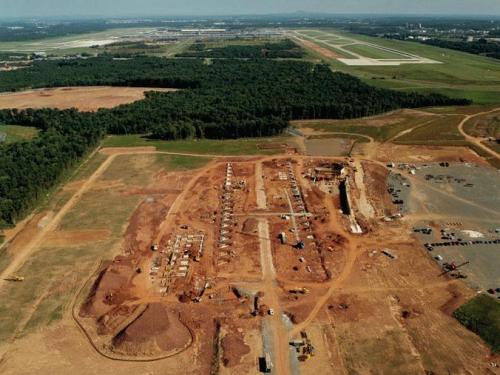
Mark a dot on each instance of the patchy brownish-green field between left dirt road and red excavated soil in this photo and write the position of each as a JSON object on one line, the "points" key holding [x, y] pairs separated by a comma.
{"points": [[55, 272]]}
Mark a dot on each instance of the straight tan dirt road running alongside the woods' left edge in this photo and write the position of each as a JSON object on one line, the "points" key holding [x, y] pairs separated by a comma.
{"points": [[21, 256]]}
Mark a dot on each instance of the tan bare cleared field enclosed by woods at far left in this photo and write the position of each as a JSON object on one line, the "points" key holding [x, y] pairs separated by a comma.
{"points": [[82, 98]]}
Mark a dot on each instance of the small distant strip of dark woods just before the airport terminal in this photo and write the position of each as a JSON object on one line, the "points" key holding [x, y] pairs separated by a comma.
{"points": [[281, 49]]}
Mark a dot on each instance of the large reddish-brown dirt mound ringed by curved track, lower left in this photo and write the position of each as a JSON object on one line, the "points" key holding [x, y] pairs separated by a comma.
{"points": [[157, 330]]}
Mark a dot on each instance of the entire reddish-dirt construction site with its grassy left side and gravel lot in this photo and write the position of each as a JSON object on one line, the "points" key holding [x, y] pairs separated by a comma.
{"points": [[288, 263]]}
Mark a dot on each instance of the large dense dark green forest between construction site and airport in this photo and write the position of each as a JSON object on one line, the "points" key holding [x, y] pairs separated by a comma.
{"points": [[223, 99]]}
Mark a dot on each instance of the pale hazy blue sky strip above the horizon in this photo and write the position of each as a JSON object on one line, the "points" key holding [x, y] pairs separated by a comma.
{"points": [[107, 8]]}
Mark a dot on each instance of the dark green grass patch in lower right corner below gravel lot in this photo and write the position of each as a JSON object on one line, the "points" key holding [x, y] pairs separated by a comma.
{"points": [[482, 316]]}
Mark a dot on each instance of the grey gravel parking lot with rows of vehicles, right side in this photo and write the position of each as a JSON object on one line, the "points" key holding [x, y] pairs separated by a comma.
{"points": [[460, 205]]}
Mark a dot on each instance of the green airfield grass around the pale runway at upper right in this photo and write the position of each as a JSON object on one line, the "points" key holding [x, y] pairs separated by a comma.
{"points": [[459, 74]]}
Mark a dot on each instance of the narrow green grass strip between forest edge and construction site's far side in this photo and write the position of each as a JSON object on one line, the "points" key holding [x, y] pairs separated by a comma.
{"points": [[201, 146]]}
